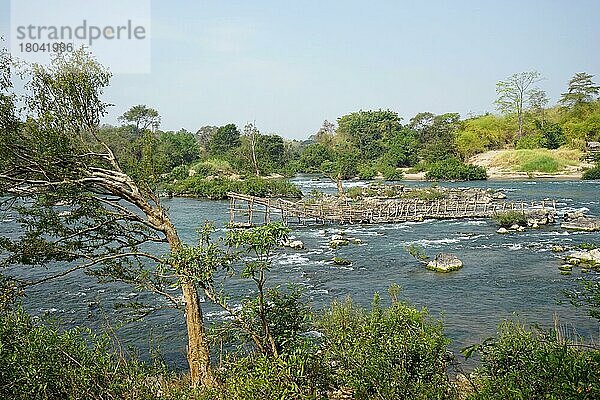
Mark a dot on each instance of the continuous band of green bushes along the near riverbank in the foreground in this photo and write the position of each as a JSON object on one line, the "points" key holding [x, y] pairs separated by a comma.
{"points": [[395, 351]]}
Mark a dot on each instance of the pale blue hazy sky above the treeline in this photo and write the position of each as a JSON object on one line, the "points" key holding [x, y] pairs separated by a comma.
{"points": [[288, 66]]}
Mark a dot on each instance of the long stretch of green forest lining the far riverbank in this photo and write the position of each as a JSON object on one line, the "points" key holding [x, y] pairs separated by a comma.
{"points": [[366, 144]]}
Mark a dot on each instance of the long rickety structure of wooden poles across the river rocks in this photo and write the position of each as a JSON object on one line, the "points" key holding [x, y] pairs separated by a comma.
{"points": [[246, 211]]}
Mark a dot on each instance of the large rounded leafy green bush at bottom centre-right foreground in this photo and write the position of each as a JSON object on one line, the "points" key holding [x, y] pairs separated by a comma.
{"points": [[390, 353]]}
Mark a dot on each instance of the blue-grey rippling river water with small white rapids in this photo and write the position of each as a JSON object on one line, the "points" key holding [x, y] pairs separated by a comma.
{"points": [[504, 276]]}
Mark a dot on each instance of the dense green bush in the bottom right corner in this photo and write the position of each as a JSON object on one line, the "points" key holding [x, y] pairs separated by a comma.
{"points": [[524, 363]]}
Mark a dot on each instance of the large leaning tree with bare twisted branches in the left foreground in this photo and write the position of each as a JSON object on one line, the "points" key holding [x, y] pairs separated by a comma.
{"points": [[79, 209]]}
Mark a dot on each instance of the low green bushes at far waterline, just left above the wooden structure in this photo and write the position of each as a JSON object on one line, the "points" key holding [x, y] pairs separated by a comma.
{"points": [[216, 189]]}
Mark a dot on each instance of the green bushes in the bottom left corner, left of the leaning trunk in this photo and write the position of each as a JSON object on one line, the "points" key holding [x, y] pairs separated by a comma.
{"points": [[40, 362]]}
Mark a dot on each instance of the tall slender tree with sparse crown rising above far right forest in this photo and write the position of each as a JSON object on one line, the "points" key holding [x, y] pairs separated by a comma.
{"points": [[512, 94]]}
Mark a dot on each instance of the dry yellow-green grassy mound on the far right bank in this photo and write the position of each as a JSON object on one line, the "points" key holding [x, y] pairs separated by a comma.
{"points": [[538, 160]]}
